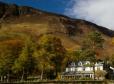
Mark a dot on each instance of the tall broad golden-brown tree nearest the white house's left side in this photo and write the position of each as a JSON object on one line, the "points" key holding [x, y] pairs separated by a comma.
{"points": [[55, 50]]}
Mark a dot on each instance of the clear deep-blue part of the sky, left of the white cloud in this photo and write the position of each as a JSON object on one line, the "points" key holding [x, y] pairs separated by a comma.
{"points": [[56, 6]]}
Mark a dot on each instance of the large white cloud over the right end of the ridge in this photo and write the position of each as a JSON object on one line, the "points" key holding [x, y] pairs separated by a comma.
{"points": [[100, 12]]}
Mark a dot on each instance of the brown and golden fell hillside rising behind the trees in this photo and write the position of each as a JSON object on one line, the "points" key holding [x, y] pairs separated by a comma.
{"points": [[34, 22]]}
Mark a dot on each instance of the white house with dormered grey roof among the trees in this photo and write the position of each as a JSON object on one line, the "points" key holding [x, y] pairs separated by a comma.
{"points": [[82, 69]]}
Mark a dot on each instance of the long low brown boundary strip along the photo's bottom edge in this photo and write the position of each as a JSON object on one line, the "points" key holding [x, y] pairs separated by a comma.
{"points": [[59, 82]]}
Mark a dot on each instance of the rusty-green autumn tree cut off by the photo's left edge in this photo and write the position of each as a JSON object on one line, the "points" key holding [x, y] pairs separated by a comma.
{"points": [[6, 61]]}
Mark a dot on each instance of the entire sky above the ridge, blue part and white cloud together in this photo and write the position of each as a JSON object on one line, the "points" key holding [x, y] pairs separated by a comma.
{"points": [[100, 12]]}
